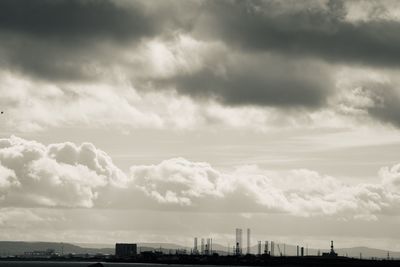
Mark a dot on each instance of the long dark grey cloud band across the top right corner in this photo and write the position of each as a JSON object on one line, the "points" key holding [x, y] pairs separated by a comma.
{"points": [[321, 32]]}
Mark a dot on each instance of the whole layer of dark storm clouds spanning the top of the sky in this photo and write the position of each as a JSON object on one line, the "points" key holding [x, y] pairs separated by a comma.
{"points": [[248, 53]]}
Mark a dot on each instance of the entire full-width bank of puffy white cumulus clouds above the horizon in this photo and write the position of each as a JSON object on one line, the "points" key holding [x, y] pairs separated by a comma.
{"points": [[68, 175]]}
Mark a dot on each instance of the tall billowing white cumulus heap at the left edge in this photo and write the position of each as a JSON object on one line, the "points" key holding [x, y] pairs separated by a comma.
{"points": [[65, 175]]}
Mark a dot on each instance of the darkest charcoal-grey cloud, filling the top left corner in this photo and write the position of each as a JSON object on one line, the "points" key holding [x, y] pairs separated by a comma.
{"points": [[69, 19]]}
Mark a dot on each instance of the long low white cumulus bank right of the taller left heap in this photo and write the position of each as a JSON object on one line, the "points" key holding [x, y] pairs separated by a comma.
{"points": [[299, 192]]}
